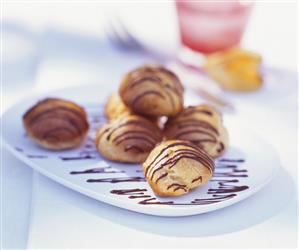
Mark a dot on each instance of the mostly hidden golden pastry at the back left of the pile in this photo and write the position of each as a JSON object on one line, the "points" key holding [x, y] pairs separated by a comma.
{"points": [[115, 107]]}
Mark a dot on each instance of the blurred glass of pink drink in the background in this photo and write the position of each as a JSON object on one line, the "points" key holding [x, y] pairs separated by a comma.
{"points": [[209, 26]]}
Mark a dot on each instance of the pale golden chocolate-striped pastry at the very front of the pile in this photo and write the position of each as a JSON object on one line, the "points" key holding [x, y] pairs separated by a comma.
{"points": [[175, 167]]}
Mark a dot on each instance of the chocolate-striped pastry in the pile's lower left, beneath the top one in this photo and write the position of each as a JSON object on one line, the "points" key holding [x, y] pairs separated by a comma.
{"points": [[128, 139]]}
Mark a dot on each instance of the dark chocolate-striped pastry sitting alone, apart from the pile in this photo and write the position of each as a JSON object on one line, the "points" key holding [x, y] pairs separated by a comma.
{"points": [[56, 124]]}
